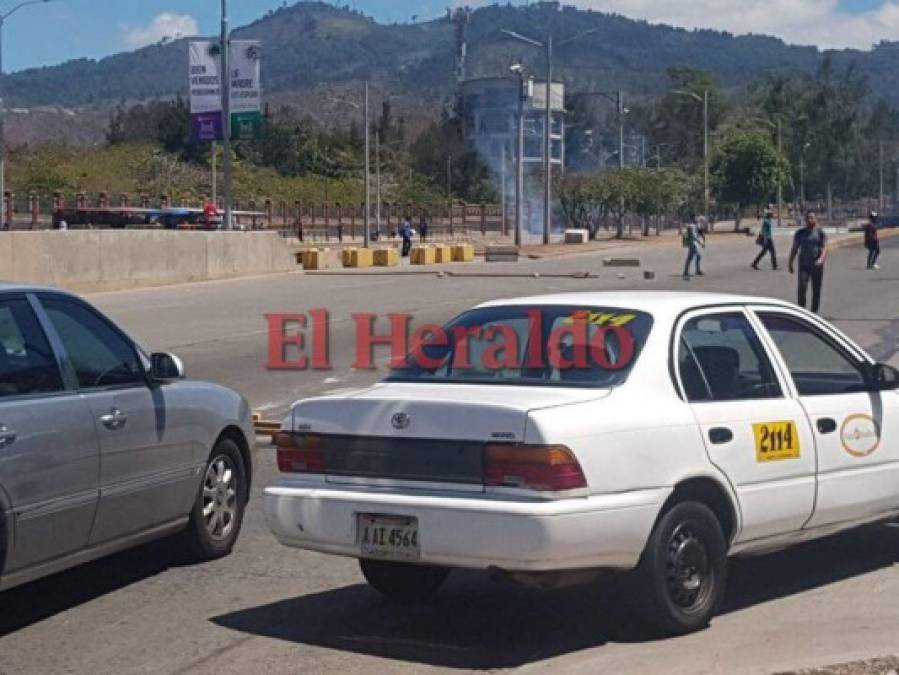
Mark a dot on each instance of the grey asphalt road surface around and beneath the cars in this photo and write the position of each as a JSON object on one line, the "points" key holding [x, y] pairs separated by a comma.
{"points": [[270, 609]]}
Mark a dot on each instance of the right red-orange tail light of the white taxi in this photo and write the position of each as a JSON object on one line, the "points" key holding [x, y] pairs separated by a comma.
{"points": [[543, 468]]}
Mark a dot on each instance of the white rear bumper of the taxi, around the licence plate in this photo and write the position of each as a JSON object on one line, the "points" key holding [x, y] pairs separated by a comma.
{"points": [[606, 531]]}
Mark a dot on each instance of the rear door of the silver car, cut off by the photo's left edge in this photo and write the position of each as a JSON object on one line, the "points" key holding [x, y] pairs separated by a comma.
{"points": [[49, 462]]}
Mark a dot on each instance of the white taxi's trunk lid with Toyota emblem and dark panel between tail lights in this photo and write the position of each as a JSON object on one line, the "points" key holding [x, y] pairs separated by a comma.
{"points": [[423, 433]]}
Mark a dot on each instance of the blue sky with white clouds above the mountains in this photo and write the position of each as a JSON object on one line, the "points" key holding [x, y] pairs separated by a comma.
{"points": [[60, 30]]}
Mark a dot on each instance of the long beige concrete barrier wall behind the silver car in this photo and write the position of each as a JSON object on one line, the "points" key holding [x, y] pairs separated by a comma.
{"points": [[102, 260]]}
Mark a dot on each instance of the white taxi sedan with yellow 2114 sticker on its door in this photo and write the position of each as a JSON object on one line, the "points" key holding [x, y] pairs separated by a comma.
{"points": [[697, 427]]}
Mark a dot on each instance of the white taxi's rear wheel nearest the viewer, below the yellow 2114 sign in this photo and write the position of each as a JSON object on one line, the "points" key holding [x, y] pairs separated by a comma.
{"points": [[680, 582]]}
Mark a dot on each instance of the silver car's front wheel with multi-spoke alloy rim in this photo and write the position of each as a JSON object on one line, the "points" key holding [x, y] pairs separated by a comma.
{"points": [[217, 514]]}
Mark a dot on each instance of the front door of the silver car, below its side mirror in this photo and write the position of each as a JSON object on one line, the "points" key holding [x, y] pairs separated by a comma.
{"points": [[148, 476]]}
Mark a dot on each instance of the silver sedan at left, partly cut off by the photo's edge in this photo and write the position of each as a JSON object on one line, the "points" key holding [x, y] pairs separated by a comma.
{"points": [[103, 447]]}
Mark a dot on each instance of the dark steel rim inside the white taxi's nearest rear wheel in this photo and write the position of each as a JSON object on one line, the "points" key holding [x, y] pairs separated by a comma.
{"points": [[688, 569]]}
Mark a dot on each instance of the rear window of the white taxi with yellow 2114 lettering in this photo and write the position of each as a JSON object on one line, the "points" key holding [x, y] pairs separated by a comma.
{"points": [[562, 346]]}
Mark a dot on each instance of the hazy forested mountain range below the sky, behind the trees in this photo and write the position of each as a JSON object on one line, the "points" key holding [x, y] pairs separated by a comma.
{"points": [[313, 49]]}
